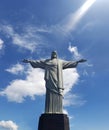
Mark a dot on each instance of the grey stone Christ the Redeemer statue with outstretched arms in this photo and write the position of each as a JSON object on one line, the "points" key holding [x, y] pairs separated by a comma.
{"points": [[53, 80]]}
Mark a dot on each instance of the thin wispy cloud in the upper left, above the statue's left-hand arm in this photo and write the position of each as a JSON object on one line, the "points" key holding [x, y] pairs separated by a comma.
{"points": [[28, 39]]}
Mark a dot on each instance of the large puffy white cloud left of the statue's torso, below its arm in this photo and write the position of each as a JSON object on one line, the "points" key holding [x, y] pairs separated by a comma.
{"points": [[19, 89]]}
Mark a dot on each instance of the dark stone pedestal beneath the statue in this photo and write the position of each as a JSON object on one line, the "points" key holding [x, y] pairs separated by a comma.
{"points": [[53, 122]]}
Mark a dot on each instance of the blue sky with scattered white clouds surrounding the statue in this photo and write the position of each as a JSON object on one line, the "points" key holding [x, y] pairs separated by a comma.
{"points": [[32, 29]]}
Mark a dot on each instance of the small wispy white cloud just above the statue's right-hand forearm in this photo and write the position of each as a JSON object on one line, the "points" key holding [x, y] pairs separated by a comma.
{"points": [[74, 51]]}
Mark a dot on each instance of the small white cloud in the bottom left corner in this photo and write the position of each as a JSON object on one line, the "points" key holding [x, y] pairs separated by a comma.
{"points": [[9, 125]]}
